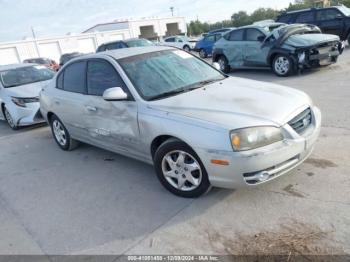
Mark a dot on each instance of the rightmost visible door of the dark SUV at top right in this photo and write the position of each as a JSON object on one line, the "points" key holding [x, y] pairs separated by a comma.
{"points": [[330, 21]]}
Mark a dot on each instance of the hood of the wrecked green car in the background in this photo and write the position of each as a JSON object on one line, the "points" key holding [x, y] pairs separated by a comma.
{"points": [[303, 40]]}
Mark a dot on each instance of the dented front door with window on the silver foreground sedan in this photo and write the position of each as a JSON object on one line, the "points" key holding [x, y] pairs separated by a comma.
{"points": [[110, 124]]}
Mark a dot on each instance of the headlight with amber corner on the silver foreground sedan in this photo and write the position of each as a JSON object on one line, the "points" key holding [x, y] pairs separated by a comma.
{"points": [[254, 137]]}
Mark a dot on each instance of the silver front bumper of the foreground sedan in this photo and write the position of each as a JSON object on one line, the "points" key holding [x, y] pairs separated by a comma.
{"points": [[272, 161]]}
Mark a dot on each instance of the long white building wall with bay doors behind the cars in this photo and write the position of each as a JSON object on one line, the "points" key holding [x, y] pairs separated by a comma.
{"points": [[15, 52]]}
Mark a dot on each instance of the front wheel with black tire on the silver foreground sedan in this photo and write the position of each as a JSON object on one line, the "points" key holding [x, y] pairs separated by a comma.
{"points": [[180, 170]]}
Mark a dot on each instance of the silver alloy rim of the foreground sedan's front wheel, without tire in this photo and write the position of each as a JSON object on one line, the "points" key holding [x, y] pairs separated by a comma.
{"points": [[181, 170]]}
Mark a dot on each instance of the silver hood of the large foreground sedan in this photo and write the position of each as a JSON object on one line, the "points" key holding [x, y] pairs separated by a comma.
{"points": [[236, 103]]}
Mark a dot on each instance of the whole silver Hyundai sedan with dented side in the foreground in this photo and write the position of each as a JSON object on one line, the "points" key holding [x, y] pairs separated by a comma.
{"points": [[197, 126]]}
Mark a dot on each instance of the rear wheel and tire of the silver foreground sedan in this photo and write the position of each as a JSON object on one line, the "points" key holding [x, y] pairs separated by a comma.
{"points": [[61, 135]]}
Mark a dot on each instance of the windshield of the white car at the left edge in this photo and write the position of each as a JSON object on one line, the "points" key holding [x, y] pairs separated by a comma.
{"points": [[25, 75]]}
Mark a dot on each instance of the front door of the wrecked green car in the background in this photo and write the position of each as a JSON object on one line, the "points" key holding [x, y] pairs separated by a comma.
{"points": [[255, 54]]}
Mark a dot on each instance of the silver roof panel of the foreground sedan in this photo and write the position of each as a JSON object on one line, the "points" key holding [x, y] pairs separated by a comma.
{"points": [[127, 52]]}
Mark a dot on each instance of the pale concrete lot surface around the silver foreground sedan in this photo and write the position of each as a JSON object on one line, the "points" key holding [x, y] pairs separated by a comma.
{"points": [[91, 201]]}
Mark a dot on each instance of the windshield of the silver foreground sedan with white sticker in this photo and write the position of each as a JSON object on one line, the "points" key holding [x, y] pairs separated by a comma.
{"points": [[165, 73]]}
